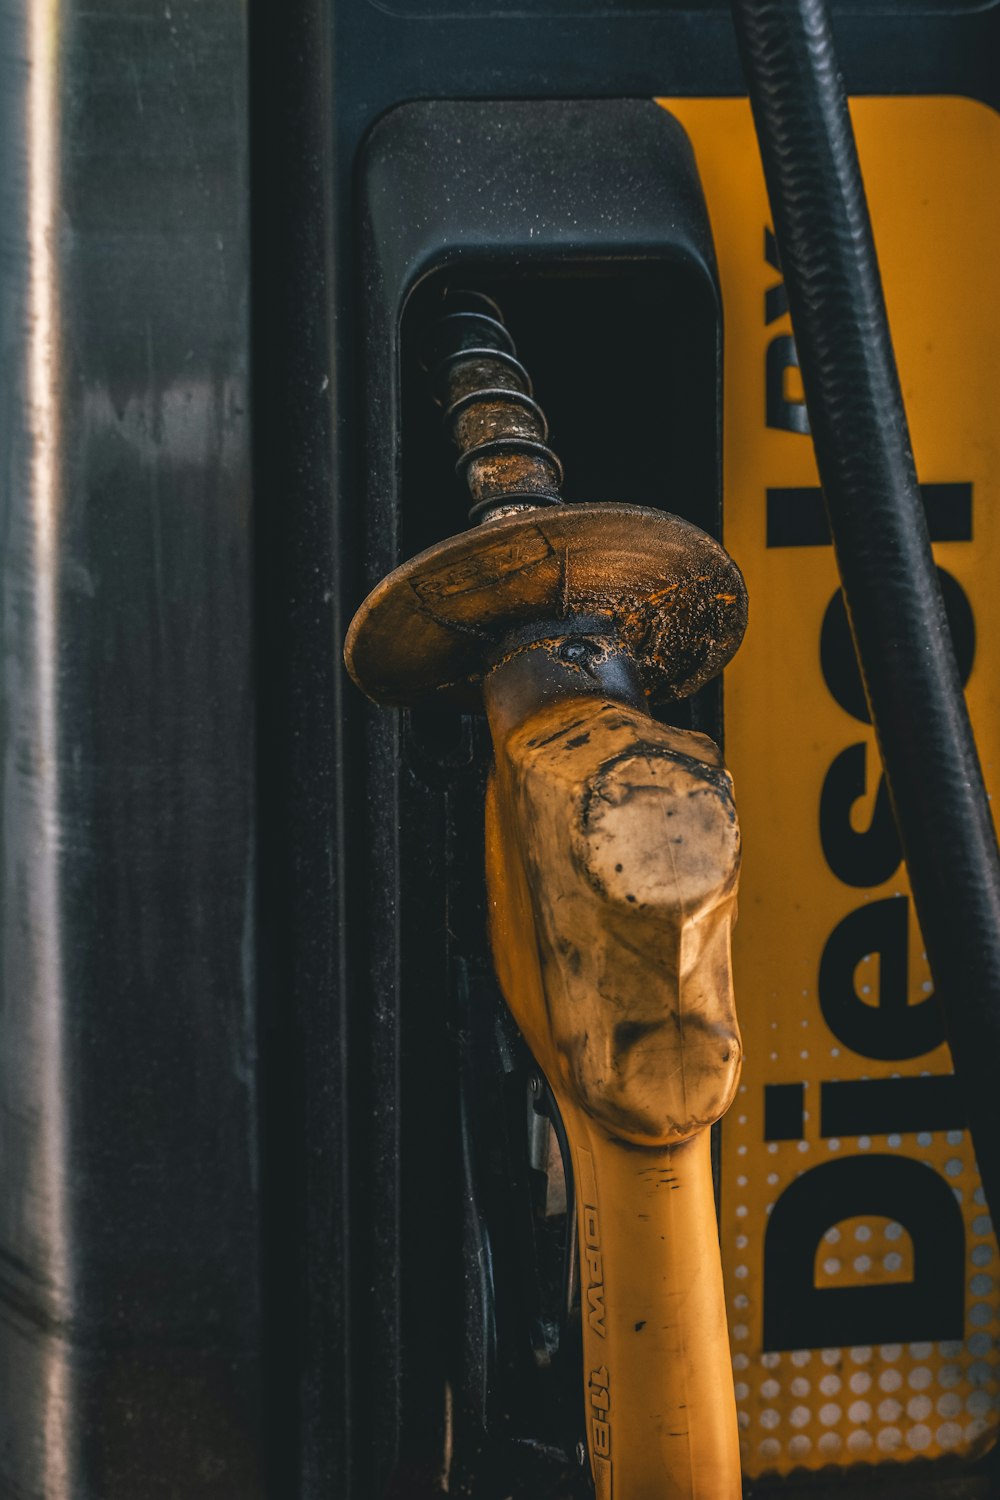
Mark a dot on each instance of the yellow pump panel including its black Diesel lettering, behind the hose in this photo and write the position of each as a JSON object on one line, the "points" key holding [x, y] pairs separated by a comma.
{"points": [[845, 1067]]}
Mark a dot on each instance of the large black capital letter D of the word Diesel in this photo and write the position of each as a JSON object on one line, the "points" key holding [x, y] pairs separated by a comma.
{"points": [[798, 1315]]}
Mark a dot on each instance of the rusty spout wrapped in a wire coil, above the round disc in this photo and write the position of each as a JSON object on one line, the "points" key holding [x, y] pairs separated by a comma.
{"points": [[490, 410]]}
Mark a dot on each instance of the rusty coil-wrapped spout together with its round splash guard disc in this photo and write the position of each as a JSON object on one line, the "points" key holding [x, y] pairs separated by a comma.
{"points": [[668, 592]]}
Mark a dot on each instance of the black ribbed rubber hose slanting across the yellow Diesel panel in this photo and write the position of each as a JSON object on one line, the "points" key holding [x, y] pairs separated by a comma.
{"points": [[891, 590]]}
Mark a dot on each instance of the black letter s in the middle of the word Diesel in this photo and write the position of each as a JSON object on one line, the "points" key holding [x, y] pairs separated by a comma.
{"points": [[857, 859]]}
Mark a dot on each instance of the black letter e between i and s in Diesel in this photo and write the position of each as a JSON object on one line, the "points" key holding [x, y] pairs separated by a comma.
{"points": [[891, 1028]]}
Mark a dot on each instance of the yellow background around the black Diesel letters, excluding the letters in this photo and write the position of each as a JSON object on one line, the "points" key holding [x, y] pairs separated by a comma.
{"points": [[932, 167]]}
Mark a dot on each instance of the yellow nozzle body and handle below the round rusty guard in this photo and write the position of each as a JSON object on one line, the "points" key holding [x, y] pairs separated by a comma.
{"points": [[612, 863]]}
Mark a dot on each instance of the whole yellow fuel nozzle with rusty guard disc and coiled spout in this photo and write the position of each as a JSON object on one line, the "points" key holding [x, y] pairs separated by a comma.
{"points": [[612, 868]]}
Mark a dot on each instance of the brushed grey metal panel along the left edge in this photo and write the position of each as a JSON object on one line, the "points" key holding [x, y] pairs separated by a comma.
{"points": [[128, 1211]]}
